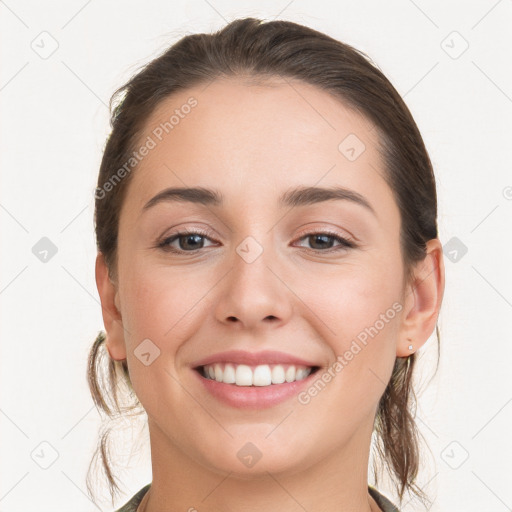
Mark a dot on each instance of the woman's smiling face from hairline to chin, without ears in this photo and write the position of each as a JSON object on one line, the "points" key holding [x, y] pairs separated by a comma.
{"points": [[262, 269]]}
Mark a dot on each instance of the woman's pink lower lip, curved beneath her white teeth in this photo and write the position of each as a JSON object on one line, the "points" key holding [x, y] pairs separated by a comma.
{"points": [[254, 397]]}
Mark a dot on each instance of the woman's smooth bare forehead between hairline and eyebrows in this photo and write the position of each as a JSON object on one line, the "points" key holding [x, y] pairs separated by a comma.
{"points": [[251, 139]]}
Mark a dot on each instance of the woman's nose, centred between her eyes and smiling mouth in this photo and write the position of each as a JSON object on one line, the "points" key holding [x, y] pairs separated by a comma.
{"points": [[254, 294]]}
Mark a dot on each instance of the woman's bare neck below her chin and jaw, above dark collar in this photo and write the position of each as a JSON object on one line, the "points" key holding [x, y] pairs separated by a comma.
{"points": [[337, 482]]}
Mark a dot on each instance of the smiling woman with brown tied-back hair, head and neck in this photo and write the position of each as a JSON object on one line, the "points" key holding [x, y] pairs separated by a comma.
{"points": [[268, 266]]}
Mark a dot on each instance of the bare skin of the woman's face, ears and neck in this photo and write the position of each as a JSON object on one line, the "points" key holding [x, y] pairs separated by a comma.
{"points": [[253, 142]]}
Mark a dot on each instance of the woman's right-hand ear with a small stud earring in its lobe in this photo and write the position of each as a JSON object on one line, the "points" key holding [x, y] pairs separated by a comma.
{"points": [[422, 298]]}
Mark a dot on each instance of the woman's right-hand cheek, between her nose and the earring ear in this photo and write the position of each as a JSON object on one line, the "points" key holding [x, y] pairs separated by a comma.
{"points": [[358, 312]]}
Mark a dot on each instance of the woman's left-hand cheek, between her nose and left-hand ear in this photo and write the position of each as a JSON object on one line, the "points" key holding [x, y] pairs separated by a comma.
{"points": [[158, 305]]}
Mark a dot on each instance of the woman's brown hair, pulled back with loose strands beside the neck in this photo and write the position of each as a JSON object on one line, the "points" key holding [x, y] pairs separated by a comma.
{"points": [[257, 50]]}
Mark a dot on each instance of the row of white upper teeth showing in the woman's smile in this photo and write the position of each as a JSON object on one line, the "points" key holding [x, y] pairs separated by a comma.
{"points": [[261, 375]]}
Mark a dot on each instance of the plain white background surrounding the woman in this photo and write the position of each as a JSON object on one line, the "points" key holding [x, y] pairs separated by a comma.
{"points": [[54, 125]]}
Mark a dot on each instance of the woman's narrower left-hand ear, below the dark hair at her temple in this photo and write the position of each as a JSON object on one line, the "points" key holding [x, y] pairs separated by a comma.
{"points": [[110, 309]]}
